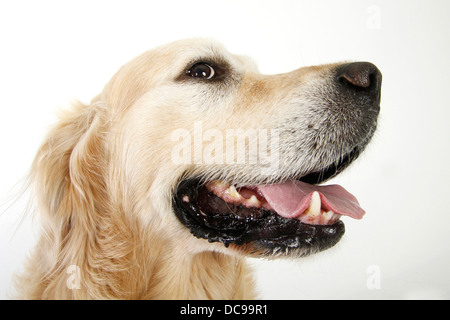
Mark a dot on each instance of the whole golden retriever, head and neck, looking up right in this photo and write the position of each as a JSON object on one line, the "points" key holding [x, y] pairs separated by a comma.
{"points": [[188, 162]]}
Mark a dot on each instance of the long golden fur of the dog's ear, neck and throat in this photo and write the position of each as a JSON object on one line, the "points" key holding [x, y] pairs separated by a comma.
{"points": [[84, 227]]}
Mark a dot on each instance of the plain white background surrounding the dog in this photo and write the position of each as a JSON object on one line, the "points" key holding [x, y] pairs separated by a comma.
{"points": [[55, 51]]}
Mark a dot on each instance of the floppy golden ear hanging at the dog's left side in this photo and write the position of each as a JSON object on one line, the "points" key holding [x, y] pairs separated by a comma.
{"points": [[67, 171]]}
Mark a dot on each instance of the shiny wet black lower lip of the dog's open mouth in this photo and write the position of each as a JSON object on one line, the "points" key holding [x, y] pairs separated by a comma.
{"points": [[266, 230]]}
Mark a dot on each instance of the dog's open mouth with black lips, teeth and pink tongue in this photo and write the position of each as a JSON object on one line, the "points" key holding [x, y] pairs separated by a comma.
{"points": [[295, 216]]}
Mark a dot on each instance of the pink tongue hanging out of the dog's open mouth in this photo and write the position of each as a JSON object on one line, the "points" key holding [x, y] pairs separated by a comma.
{"points": [[292, 198]]}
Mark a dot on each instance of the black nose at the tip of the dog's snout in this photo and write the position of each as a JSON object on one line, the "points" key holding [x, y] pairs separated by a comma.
{"points": [[361, 76]]}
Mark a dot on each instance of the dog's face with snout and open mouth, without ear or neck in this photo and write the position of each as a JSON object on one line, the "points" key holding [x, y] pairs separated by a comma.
{"points": [[207, 148]]}
